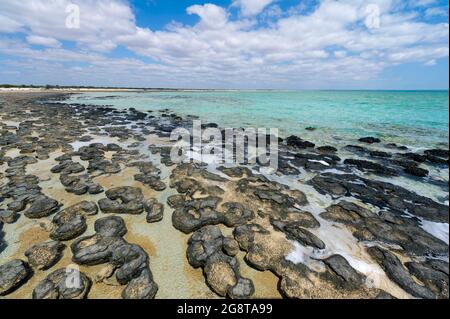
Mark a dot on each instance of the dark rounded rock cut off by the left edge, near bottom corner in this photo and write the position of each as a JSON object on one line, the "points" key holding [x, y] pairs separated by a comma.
{"points": [[13, 274]]}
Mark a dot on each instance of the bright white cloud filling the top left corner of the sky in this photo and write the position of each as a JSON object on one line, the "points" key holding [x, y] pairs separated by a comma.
{"points": [[101, 21]]}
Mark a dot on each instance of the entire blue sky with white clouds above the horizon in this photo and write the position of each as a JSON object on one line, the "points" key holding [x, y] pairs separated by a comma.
{"points": [[226, 44]]}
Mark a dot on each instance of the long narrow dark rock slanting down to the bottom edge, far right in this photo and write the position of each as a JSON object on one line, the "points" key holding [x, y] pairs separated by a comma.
{"points": [[398, 273]]}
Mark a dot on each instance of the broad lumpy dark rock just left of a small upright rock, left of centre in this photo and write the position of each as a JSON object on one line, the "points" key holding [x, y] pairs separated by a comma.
{"points": [[123, 200]]}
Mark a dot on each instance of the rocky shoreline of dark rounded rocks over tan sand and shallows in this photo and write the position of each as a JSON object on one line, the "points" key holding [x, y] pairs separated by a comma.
{"points": [[94, 187]]}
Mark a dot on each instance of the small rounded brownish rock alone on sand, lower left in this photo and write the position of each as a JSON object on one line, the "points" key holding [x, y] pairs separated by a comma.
{"points": [[44, 255]]}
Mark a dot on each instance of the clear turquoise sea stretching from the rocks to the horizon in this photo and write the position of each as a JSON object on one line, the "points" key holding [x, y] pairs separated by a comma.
{"points": [[415, 118]]}
